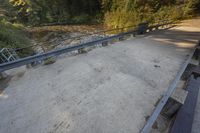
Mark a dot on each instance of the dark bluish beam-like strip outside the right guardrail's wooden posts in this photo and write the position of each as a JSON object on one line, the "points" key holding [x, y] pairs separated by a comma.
{"points": [[184, 118]]}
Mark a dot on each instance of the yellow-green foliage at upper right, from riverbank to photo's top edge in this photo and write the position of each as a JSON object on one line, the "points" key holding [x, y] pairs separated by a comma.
{"points": [[120, 13]]}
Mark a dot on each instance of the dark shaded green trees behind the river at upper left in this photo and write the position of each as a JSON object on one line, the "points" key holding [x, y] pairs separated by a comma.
{"points": [[43, 11]]}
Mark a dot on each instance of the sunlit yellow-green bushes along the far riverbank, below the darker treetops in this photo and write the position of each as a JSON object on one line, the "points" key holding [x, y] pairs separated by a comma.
{"points": [[122, 17]]}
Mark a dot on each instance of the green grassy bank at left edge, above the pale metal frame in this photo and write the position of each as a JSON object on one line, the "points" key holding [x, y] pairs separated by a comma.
{"points": [[14, 36]]}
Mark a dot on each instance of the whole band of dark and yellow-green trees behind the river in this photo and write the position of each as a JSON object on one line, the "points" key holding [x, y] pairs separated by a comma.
{"points": [[116, 12]]}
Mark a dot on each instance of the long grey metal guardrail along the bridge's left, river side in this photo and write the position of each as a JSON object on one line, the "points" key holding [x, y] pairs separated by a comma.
{"points": [[39, 57]]}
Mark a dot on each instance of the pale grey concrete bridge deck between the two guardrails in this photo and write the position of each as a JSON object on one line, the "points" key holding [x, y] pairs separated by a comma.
{"points": [[108, 90]]}
